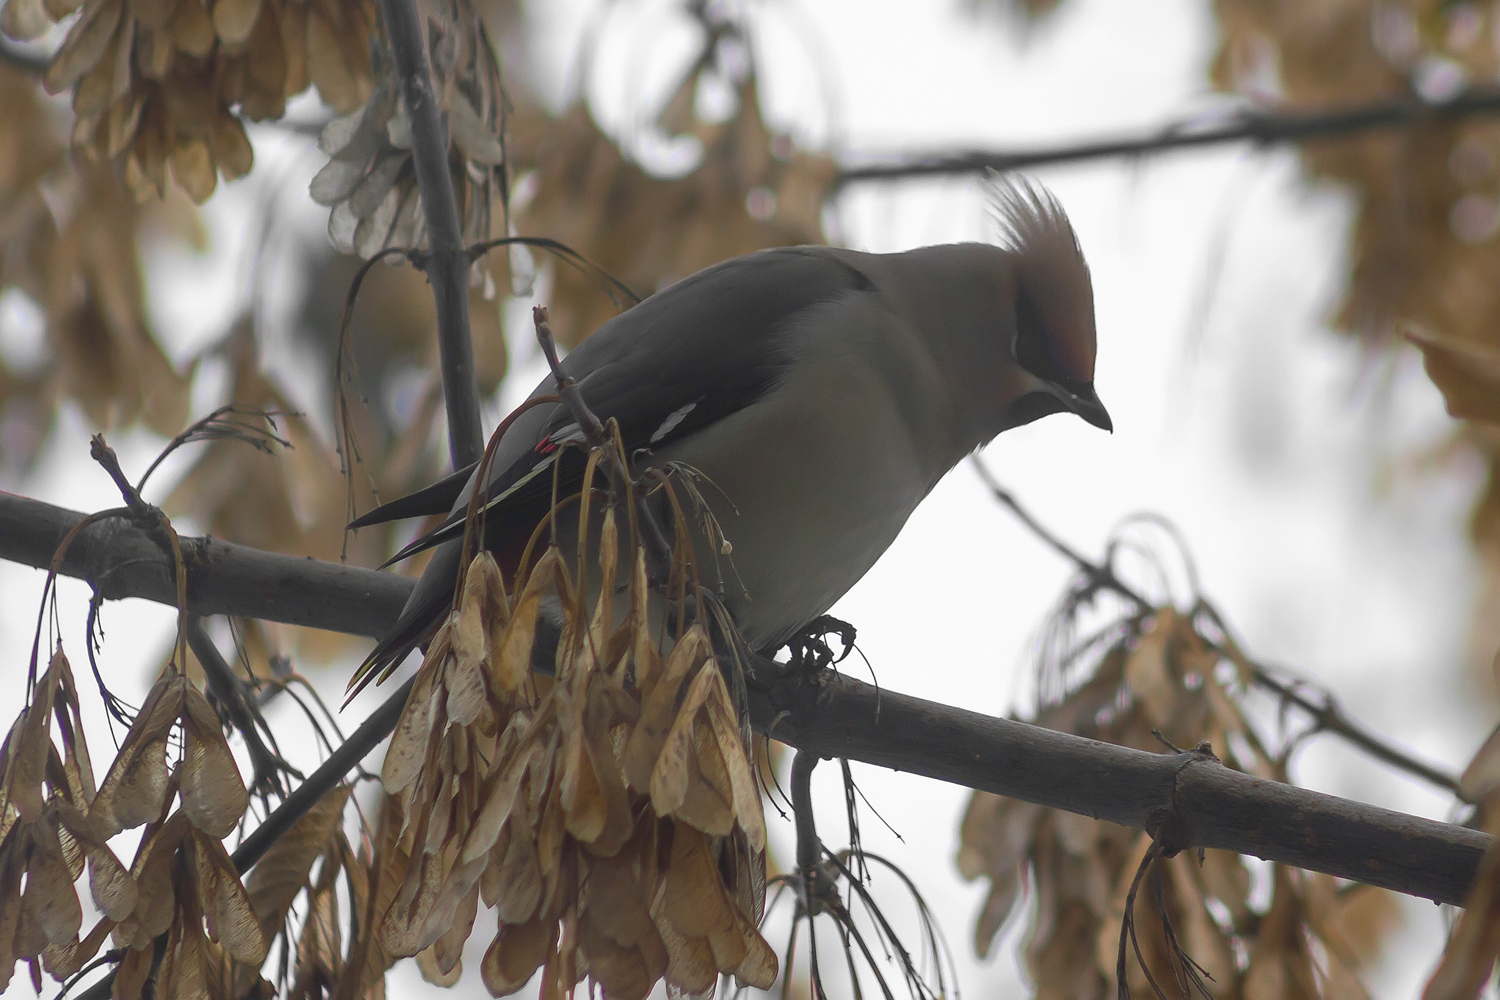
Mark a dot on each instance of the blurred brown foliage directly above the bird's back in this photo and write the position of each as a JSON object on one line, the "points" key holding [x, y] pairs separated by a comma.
{"points": [[751, 190]]}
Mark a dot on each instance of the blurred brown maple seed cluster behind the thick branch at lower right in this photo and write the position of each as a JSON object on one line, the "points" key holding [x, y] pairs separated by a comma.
{"points": [[1162, 675]]}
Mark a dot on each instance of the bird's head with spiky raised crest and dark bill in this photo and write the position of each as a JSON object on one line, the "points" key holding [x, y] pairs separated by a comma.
{"points": [[1052, 340]]}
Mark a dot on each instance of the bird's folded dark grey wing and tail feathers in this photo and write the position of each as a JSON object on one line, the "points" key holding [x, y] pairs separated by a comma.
{"points": [[686, 358]]}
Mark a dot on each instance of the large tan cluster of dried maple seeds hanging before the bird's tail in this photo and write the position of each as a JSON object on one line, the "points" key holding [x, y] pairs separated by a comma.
{"points": [[608, 813]]}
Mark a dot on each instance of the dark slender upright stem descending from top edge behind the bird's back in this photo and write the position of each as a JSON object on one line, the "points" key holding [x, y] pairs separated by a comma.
{"points": [[448, 263]]}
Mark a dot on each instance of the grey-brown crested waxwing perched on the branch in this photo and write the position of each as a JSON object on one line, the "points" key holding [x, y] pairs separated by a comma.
{"points": [[820, 392]]}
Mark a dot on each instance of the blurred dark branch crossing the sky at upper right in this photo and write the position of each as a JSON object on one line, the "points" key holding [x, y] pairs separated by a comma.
{"points": [[1262, 128]]}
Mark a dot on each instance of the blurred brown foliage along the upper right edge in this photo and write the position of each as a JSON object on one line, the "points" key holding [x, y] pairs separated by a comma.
{"points": [[1426, 257]]}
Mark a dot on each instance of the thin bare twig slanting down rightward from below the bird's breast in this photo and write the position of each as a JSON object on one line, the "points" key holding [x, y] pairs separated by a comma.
{"points": [[1324, 710]]}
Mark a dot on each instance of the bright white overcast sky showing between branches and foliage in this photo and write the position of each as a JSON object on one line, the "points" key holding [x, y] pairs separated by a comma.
{"points": [[1238, 415]]}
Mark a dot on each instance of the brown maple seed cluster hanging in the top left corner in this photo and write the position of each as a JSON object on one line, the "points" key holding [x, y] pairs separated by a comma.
{"points": [[164, 83]]}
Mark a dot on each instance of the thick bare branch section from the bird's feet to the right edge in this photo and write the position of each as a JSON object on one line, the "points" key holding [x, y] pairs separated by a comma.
{"points": [[1219, 807]]}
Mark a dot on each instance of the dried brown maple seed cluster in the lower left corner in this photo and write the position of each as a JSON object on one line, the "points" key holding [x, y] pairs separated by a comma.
{"points": [[182, 884]]}
